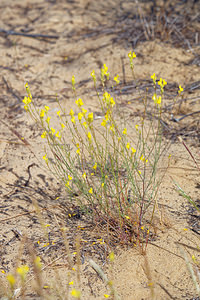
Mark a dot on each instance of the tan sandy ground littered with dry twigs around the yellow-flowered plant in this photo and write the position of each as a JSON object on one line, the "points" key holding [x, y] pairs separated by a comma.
{"points": [[86, 35]]}
